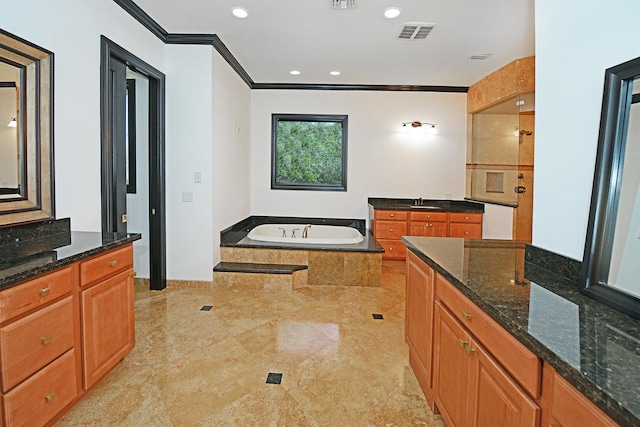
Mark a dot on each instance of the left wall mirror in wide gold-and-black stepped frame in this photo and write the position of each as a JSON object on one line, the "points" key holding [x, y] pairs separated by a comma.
{"points": [[26, 134]]}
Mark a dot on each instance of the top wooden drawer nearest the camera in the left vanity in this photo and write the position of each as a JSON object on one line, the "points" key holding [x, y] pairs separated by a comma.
{"points": [[34, 293]]}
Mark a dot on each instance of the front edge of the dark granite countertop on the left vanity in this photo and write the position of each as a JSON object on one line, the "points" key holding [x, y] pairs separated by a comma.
{"points": [[29, 273]]}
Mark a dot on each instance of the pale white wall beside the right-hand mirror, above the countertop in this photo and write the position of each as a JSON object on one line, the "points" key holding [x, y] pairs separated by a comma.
{"points": [[570, 65]]}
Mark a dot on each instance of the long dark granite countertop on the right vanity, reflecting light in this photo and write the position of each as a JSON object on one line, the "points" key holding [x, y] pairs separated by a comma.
{"points": [[594, 347]]}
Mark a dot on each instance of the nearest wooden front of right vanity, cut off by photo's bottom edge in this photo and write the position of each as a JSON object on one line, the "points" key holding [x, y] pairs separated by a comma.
{"points": [[567, 407]]}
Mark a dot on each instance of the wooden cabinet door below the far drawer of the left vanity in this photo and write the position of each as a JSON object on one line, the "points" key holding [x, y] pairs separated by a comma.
{"points": [[107, 325]]}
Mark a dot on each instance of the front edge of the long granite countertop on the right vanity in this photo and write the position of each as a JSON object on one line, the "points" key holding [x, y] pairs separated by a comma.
{"points": [[592, 391]]}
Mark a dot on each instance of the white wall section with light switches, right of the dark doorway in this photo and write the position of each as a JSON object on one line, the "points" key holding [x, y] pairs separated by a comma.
{"points": [[189, 150]]}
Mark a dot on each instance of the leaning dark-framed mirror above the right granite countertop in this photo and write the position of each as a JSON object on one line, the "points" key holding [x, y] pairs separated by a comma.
{"points": [[611, 262]]}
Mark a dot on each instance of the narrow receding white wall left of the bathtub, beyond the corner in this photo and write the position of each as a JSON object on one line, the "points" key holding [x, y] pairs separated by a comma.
{"points": [[231, 150]]}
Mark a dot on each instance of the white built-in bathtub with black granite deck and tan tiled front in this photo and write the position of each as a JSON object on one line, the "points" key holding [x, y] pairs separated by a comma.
{"points": [[331, 258]]}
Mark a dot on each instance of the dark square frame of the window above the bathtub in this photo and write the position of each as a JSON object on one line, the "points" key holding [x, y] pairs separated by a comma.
{"points": [[334, 118]]}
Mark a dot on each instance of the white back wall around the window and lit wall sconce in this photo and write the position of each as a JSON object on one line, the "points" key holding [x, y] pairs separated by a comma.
{"points": [[384, 159]]}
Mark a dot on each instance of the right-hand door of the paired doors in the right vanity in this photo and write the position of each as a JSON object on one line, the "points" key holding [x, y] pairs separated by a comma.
{"points": [[495, 399]]}
